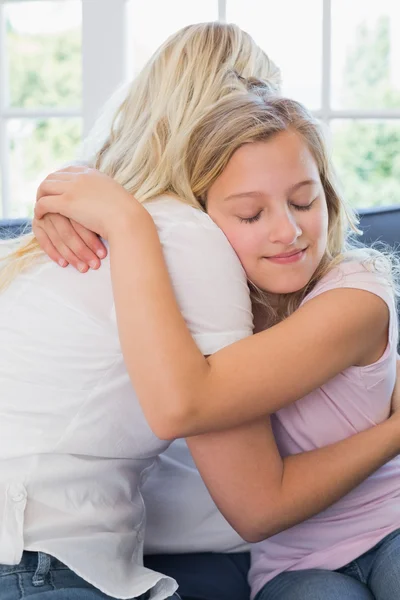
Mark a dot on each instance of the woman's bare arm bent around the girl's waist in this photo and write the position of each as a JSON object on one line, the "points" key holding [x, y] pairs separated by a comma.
{"points": [[260, 493]]}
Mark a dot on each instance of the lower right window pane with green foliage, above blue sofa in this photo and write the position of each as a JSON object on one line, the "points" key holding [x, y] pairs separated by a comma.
{"points": [[367, 156]]}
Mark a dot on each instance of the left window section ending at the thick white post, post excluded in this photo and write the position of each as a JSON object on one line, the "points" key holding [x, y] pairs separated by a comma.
{"points": [[41, 101]]}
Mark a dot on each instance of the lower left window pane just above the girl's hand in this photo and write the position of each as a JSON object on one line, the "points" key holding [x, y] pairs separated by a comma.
{"points": [[37, 147]]}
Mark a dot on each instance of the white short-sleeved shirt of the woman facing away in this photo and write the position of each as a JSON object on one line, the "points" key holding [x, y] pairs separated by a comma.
{"points": [[74, 444]]}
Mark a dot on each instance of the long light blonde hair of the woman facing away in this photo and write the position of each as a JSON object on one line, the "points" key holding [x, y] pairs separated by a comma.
{"points": [[145, 148]]}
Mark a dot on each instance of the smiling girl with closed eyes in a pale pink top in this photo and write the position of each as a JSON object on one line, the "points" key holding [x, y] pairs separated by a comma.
{"points": [[261, 169]]}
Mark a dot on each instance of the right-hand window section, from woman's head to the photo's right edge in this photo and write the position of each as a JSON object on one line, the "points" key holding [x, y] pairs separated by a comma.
{"points": [[342, 59]]}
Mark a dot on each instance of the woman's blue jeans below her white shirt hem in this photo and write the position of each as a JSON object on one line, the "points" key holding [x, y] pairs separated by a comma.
{"points": [[46, 578]]}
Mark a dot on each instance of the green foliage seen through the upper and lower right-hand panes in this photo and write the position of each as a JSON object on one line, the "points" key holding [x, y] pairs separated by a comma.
{"points": [[367, 153]]}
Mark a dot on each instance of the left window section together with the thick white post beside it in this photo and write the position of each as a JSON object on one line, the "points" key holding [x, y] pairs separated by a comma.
{"points": [[51, 86]]}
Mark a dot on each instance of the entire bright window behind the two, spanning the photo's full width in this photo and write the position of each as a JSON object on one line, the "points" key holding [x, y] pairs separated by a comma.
{"points": [[61, 59]]}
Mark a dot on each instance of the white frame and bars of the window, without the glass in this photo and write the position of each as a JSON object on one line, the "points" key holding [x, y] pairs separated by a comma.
{"points": [[105, 20]]}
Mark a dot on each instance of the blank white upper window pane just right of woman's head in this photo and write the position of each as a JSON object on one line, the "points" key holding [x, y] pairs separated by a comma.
{"points": [[294, 43]]}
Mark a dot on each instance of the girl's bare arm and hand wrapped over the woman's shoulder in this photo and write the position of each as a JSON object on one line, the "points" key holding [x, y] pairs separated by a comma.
{"points": [[248, 379]]}
